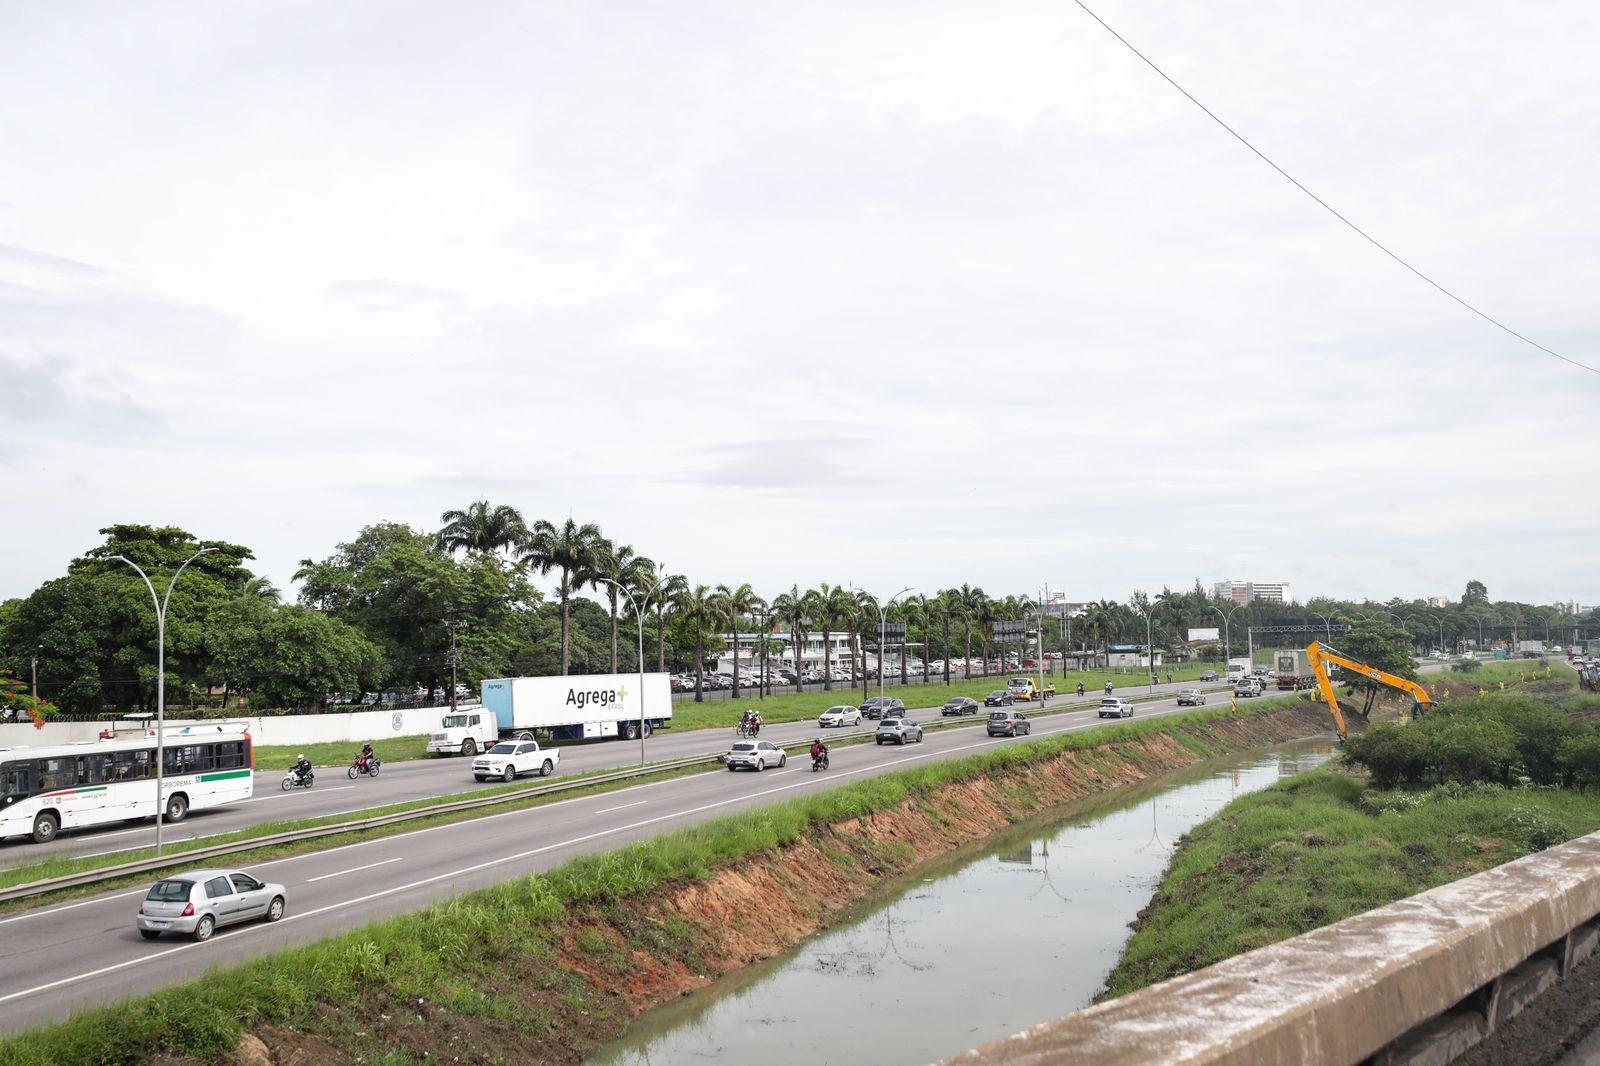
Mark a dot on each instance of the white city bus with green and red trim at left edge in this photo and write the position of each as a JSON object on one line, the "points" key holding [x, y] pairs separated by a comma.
{"points": [[76, 787]]}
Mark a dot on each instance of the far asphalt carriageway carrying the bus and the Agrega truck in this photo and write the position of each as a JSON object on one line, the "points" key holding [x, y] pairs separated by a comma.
{"points": [[402, 782]]}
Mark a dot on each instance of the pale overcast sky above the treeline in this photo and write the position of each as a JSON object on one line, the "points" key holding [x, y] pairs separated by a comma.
{"points": [[874, 294]]}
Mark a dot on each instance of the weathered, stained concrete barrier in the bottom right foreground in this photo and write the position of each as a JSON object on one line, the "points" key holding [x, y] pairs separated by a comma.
{"points": [[1414, 982]]}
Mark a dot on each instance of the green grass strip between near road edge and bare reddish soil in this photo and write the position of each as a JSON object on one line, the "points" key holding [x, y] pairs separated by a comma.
{"points": [[449, 955]]}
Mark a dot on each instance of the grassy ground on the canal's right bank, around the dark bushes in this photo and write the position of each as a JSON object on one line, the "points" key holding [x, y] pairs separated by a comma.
{"points": [[1330, 844]]}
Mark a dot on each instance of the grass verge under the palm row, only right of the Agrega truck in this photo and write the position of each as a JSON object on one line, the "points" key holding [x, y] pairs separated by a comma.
{"points": [[799, 707]]}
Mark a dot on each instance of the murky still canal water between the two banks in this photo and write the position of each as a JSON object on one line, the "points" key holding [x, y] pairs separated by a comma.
{"points": [[972, 952]]}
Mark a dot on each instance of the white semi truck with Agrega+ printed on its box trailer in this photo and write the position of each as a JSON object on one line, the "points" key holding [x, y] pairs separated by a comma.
{"points": [[572, 708]]}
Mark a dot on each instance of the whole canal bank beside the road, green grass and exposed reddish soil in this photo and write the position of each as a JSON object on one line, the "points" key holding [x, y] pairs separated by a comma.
{"points": [[543, 968]]}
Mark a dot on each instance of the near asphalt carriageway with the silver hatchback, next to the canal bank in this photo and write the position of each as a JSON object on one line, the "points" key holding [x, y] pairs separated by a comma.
{"points": [[89, 953]]}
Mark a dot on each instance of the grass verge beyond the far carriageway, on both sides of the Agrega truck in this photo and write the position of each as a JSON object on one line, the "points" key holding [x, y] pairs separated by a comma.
{"points": [[778, 708]]}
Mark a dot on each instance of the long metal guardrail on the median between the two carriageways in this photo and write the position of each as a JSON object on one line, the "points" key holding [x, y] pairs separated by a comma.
{"points": [[294, 836]]}
